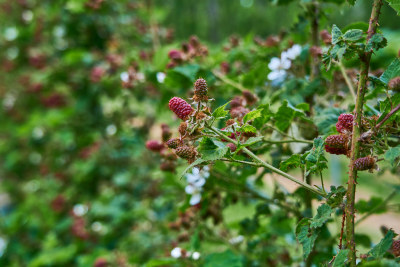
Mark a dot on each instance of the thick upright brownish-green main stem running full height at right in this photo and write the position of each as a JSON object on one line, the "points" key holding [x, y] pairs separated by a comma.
{"points": [[355, 143]]}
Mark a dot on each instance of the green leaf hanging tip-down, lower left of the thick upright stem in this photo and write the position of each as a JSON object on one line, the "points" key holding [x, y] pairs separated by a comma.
{"points": [[306, 236]]}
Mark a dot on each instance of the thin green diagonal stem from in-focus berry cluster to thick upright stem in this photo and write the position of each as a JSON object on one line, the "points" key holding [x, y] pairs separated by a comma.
{"points": [[268, 166]]}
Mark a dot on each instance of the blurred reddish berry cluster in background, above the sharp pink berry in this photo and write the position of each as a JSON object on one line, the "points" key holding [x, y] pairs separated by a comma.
{"points": [[189, 50]]}
